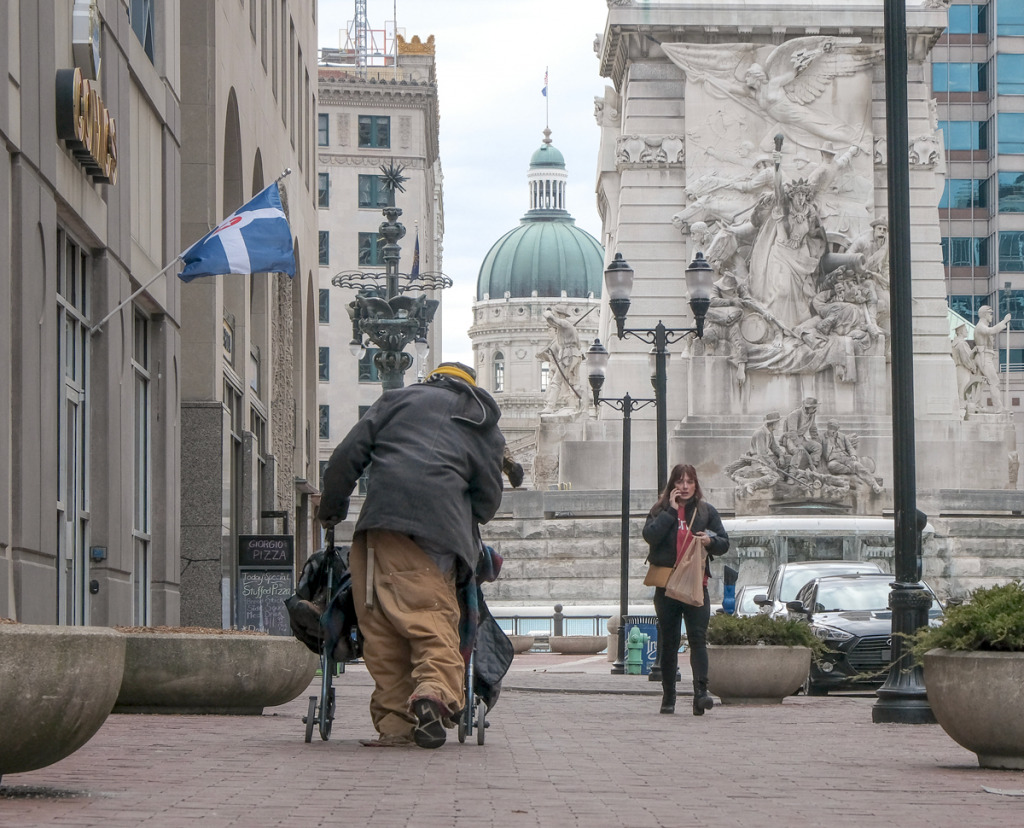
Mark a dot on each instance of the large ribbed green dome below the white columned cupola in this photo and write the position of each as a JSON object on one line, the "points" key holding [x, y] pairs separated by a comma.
{"points": [[547, 253]]}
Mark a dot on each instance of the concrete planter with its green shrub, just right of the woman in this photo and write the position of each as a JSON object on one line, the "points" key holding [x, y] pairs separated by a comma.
{"points": [[758, 660]]}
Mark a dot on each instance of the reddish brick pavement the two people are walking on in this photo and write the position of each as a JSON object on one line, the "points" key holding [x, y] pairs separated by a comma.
{"points": [[570, 746]]}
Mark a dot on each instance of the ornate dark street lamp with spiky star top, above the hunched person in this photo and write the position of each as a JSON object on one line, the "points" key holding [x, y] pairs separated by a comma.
{"points": [[383, 311]]}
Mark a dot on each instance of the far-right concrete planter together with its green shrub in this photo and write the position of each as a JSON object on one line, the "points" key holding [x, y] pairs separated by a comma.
{"points": [[974, 675]]}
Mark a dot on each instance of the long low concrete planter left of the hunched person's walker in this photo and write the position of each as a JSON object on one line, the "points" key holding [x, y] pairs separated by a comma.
{"points": [[188, 673]]}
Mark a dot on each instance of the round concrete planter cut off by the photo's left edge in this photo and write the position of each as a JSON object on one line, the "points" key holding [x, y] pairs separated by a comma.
{"points": [[58, 685]]}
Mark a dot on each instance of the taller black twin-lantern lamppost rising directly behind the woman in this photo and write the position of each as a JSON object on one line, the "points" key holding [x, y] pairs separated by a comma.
{"points": [[619, 284]]}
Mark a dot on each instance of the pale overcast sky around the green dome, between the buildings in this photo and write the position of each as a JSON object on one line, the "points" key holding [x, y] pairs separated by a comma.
{"points": [[491, 63]]}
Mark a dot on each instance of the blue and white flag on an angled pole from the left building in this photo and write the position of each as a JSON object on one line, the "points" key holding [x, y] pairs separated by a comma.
{"points": [[255, 239]]}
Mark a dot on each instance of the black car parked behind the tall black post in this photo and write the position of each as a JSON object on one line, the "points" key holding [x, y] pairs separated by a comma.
{"points": [[850, 614]]}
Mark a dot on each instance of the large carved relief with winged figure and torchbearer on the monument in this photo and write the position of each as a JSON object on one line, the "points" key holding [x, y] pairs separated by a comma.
{"points": [[780, 185]]}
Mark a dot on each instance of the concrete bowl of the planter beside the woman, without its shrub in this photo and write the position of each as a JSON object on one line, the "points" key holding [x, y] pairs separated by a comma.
{"points": [[756, 675]]}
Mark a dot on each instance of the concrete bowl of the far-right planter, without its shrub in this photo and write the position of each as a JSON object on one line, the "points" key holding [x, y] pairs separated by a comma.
{"points": [[978, 699]]}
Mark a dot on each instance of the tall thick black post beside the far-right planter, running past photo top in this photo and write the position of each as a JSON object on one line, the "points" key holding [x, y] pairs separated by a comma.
{"points": [[903, 699]]}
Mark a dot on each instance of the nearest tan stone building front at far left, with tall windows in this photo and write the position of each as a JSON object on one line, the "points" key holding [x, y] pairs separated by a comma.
{"points": [[90, 427]]}
